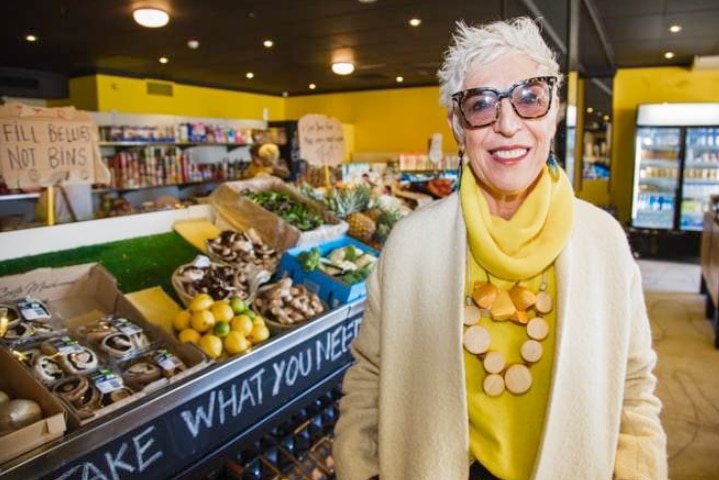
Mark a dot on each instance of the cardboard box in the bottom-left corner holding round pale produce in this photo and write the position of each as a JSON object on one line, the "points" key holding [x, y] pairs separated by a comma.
{"points": [[17, 382]]}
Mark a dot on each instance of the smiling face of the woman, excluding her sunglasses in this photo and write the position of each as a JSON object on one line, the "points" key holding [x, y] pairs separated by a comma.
{"points": [[508, 155]]}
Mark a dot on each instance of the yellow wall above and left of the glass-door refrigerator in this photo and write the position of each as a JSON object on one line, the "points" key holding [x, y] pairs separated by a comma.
{"points": [[648, 85]]}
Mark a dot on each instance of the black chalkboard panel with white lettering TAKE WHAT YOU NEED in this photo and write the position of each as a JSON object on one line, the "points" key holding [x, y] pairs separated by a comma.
{"points": [[170, 443]]}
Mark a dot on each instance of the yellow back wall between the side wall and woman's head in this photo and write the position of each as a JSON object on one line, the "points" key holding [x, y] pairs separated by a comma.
{"points": [[394, 120]]}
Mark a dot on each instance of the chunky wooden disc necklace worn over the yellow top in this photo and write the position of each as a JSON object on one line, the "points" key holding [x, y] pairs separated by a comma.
{"points": [[518, 305]]}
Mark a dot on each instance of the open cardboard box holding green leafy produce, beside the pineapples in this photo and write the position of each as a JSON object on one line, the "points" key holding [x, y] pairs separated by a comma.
{"points": [[234, 211]]}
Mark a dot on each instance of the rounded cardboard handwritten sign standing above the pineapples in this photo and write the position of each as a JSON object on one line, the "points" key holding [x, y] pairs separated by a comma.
{"points": [[321, 140]]}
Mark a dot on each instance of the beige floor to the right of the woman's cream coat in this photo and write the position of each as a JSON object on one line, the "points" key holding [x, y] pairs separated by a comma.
{"points": [[687, 382]]}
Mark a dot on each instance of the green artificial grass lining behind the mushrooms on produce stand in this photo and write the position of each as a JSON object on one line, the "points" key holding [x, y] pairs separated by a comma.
{"points": [[137, 263]]}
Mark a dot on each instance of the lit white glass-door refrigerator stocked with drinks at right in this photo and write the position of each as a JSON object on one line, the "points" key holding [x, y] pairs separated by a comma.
{"points": [[676, 165]]}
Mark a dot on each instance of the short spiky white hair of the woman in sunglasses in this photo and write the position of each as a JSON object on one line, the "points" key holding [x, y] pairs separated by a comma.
{"points": [[473, 46]]}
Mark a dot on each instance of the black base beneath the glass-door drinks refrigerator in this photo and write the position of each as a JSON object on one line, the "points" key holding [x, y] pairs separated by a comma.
{"points": [[665, 245]]}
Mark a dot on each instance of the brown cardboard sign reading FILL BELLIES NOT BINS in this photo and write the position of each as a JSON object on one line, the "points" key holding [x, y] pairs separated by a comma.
{"points": [[43, 146]]}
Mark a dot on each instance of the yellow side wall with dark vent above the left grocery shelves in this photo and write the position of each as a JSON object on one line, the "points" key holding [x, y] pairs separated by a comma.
{"points": [[129, 95]]}
